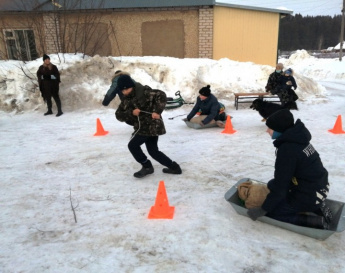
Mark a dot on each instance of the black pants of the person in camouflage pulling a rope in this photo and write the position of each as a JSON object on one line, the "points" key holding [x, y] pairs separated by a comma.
{"points": [[151, 143]]}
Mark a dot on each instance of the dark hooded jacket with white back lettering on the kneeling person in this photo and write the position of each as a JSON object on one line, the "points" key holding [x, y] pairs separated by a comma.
{"points": [[299, 177]]}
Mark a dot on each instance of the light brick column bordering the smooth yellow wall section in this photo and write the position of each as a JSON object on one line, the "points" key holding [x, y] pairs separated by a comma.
{"points": [[206, 33]]}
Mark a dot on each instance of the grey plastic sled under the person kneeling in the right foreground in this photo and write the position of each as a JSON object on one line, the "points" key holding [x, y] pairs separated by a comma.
{"points": [[337, 207]]}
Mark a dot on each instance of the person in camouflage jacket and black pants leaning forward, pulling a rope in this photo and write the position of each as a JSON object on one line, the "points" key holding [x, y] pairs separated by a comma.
{"points": [[142, 107]]}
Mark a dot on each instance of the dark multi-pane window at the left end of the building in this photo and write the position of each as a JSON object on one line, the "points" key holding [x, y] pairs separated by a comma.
{"points": [[21, 44]]}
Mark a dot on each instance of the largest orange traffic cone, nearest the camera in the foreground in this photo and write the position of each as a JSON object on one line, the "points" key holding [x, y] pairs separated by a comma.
{"points": [[161, 209]]}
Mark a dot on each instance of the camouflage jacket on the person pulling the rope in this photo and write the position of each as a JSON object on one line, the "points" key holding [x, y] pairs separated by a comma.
{"points": [[146, 99]]}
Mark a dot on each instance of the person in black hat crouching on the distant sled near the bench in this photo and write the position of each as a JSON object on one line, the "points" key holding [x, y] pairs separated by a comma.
{"points": [[210, 109]]}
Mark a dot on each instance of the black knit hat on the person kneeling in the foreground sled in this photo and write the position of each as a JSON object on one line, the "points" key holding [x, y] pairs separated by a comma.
{"points": [[280, 121]]}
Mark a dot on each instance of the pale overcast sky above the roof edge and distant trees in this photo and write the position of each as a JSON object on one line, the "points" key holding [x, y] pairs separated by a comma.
{"points": [[304, 7]]}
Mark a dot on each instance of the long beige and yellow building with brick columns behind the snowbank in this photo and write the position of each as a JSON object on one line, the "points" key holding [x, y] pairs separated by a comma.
{"points": [[179, 28]]}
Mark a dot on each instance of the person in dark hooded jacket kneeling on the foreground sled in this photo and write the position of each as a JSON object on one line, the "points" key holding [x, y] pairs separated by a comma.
{"points": [[300, 183]]}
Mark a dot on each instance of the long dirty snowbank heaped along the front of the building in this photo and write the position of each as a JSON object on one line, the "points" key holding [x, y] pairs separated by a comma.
{"points": [[84, 82]]}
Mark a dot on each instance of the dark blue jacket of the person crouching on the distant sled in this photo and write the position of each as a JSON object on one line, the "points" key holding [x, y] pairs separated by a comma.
{"points": [[209, 107]]}
